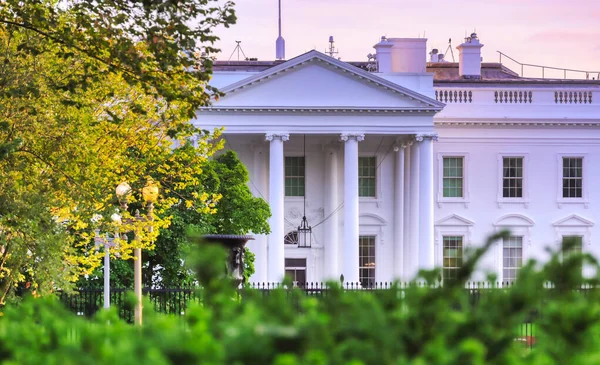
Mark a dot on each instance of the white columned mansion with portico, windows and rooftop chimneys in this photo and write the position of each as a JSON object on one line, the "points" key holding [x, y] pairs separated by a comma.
{"points": [[406, 165]]}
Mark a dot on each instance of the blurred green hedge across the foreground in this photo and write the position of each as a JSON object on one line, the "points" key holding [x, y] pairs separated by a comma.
{"points": [[416, 325]]}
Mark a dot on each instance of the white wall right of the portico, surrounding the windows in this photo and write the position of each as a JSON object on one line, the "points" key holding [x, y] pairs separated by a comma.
{"points": [[542, 148]]}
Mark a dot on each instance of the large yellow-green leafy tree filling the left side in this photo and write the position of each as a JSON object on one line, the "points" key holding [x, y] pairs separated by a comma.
{"points": [[93, 93]]}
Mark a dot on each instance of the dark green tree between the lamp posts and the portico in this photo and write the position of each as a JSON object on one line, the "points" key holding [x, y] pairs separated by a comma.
{"points": [[237, 212]]}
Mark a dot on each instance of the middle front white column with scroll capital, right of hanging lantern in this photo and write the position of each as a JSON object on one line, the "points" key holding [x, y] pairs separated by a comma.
{"points": [[350, 256]]}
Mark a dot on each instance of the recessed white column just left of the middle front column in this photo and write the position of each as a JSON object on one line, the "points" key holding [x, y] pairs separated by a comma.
{"points": [[331, 225]]}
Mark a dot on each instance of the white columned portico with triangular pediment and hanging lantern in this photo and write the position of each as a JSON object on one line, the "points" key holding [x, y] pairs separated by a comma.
{"points": [[391, 232]]}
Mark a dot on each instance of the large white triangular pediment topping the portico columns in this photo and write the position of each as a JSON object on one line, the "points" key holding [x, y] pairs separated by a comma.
{"points": [[315, 80]]}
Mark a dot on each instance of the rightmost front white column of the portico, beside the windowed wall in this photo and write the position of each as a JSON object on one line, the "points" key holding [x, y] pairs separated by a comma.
{"points": [[426, 200]]}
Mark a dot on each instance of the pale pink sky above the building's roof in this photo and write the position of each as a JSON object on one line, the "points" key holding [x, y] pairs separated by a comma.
{"points": [[560, 33]]}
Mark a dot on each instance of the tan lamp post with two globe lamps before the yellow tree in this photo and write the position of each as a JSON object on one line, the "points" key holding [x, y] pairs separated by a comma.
{"points": [[150, 195]]}
